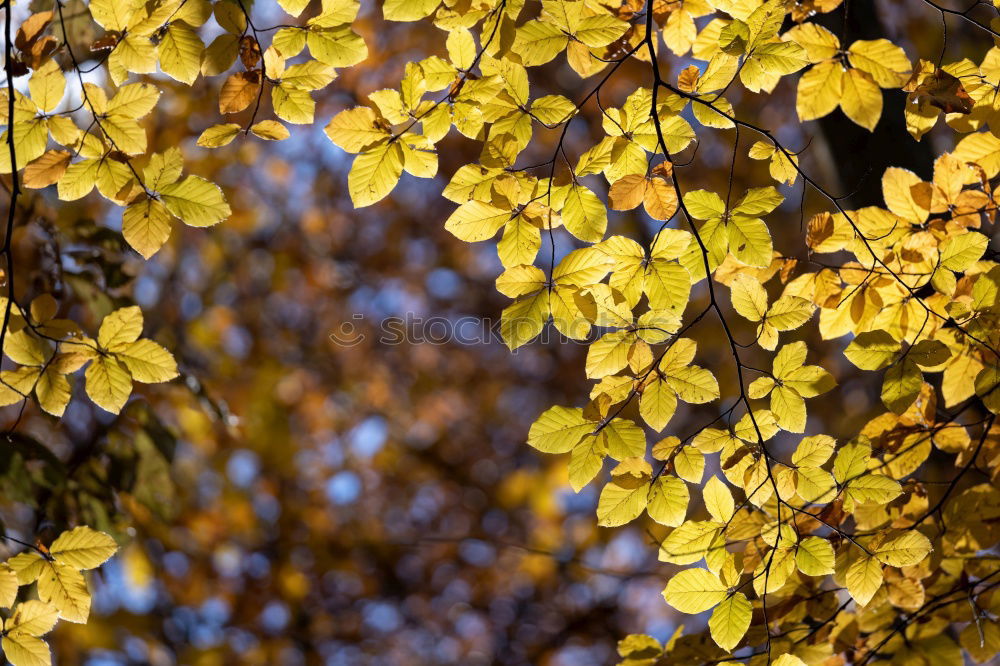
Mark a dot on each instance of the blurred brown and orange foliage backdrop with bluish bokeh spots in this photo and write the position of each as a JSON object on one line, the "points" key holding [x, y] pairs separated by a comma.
{"points": [[295, 500]]}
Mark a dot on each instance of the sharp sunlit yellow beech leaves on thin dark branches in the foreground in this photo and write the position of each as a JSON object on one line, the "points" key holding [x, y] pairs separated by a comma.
{"points": [[808, 547]]}
